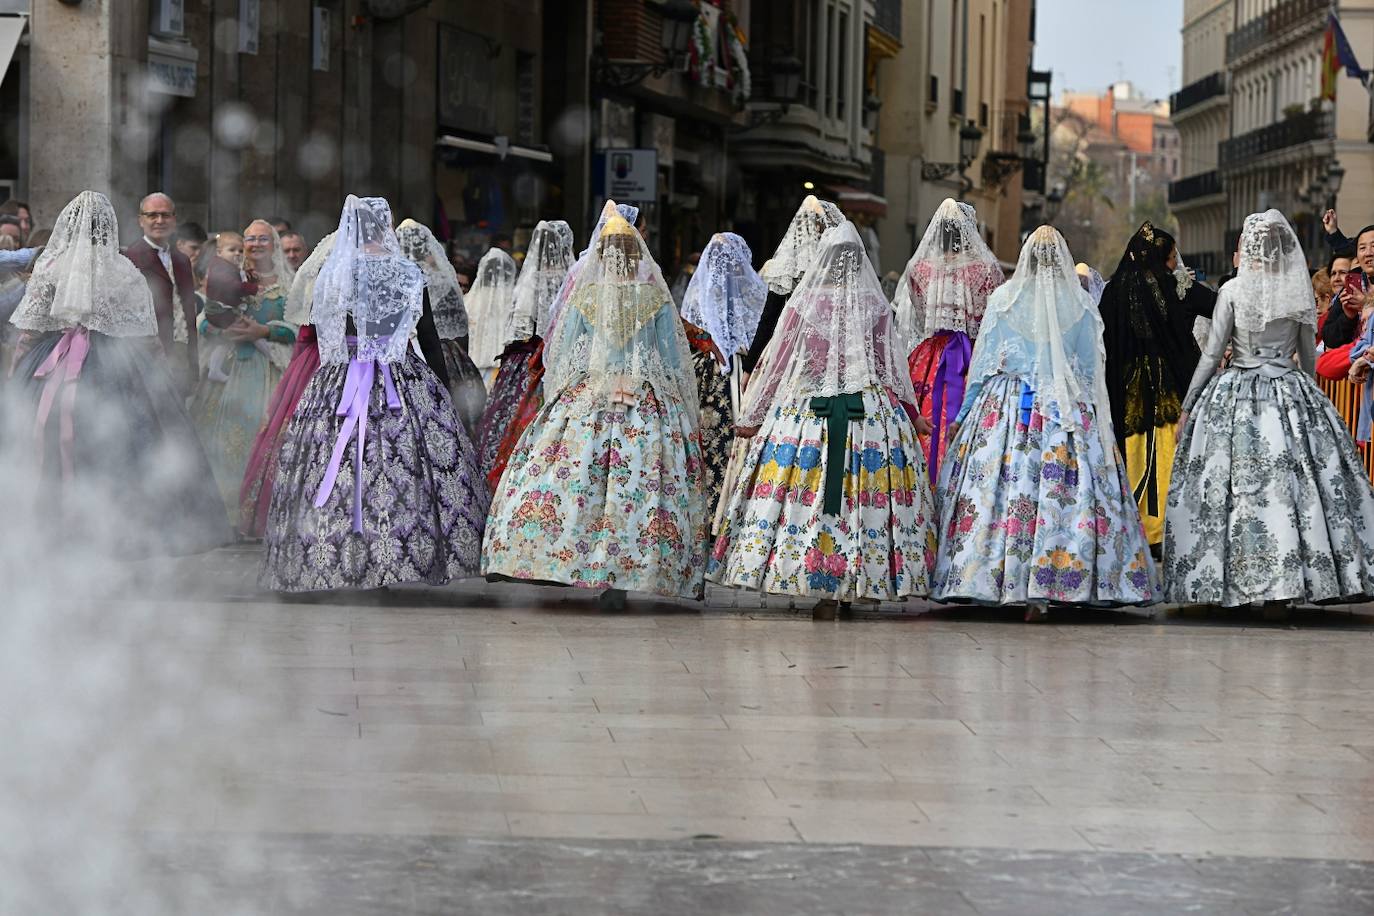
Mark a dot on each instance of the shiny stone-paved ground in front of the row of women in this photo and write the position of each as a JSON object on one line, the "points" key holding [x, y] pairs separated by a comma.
{"points": [[506, 749]]}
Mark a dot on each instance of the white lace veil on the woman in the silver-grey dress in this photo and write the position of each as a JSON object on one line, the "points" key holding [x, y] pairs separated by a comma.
{"points": [[1272, 282]]}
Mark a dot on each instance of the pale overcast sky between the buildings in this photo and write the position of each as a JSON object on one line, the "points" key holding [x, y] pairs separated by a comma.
{"points": [[1094, 43]]}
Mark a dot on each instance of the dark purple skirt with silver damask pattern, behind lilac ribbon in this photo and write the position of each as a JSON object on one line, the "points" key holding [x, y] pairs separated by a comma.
{"points": [[424, 502]]}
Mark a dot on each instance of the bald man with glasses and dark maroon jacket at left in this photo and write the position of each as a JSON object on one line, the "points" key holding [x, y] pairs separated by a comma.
{"points": [[172, 285]]}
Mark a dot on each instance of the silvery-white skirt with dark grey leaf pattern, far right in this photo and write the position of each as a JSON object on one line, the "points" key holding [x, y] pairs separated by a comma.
{"points": [[1270, 501]]}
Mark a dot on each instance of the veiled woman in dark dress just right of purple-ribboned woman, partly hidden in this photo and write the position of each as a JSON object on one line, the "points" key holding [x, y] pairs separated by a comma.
{"points": [[465, 380]]}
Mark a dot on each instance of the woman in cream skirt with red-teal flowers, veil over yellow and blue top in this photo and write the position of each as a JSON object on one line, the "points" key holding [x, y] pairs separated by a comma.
{"points": [[604, 490]]}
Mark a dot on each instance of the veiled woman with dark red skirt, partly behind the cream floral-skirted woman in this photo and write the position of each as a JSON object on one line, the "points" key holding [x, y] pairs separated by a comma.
{"points": [[541, 278]]}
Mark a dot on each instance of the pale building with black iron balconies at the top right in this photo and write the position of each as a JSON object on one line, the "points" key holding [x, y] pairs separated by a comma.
{"points": [[1277, 142]]}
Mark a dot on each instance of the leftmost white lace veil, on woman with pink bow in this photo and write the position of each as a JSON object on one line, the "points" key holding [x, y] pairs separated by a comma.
{"points": [[82, 279]]}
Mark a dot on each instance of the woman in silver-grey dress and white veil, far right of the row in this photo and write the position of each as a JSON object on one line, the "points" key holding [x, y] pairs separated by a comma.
{"points": [[1270, 502]]}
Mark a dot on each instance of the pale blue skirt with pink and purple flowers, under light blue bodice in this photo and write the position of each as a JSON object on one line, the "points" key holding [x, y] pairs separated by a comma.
{"points": [[1038, 512]]}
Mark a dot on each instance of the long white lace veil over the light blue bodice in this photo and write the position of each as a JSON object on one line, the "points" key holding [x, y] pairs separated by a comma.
{"points": [[1044, 328]]}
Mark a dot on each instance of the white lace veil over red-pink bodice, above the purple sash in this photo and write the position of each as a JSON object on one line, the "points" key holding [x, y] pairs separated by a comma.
{"points": [[947, 282]]}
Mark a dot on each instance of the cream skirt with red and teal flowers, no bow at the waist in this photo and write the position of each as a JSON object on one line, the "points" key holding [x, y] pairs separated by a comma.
{"points": [[604, 496]]}
